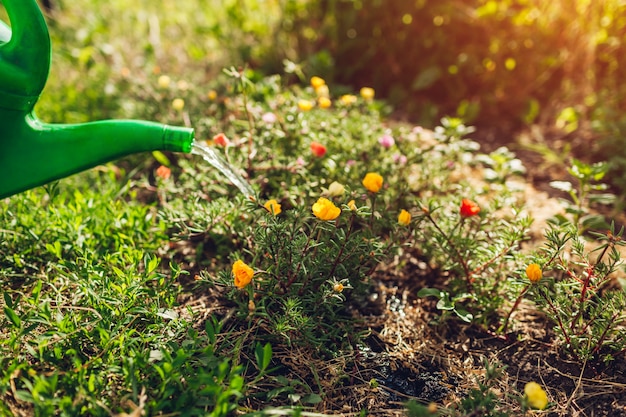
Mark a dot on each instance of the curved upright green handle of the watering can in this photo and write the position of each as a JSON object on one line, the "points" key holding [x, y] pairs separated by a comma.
{"points": [[24, 55]]}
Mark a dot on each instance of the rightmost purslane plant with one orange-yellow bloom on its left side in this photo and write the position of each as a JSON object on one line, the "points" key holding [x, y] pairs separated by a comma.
{"points": [[572, 278]]}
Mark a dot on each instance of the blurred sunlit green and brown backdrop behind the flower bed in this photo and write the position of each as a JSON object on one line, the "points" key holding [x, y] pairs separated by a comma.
{"points": [[503, 66]]}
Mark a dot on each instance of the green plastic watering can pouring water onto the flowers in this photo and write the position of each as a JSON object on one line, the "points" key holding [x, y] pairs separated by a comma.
{"points": [[33, 153]]}
